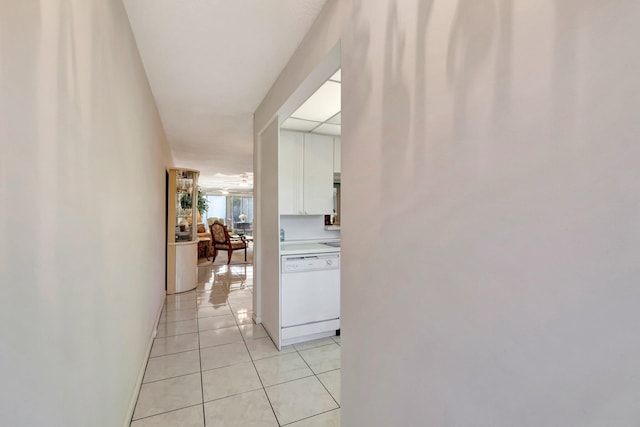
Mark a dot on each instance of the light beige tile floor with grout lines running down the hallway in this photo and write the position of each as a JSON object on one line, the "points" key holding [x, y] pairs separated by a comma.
{"points": [[210, 365]]}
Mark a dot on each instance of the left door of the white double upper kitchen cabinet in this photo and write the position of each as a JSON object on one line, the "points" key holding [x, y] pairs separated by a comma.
{"points": [[290, 152]]}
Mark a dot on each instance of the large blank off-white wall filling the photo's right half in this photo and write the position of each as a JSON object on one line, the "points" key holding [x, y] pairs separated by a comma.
{"points": [[500, 139]]}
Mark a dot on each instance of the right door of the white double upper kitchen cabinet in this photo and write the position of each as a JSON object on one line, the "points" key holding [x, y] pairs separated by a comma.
{"points": [[318, 174]]}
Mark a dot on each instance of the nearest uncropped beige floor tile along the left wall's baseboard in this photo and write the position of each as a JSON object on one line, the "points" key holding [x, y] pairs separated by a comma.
{"points": [[168, 395]]}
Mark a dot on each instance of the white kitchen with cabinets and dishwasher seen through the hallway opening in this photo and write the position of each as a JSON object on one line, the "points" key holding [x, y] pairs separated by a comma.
{"points": [[304, 303]]}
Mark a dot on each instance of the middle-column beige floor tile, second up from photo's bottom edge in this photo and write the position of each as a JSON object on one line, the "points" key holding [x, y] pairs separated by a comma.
{"points": [[230, 380]]}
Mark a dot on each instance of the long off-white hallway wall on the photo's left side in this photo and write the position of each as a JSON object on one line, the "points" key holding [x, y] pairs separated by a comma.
{"points": [[82, 182]]}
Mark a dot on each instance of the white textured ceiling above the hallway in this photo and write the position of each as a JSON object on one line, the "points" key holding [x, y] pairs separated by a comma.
{"points": [[209, 64]]}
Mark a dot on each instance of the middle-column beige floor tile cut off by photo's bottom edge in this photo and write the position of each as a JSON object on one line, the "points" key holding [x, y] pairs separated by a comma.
{"points": [[250, 409]]}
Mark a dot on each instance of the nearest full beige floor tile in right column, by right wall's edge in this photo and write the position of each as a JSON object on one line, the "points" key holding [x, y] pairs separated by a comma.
{"points": [[299, 399]]}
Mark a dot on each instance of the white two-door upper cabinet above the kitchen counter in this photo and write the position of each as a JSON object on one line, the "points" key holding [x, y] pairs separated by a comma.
{"points": [[305, 174]]}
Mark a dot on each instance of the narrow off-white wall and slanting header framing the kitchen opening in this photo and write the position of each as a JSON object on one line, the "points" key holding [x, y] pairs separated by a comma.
{"points": [[320, 46]]}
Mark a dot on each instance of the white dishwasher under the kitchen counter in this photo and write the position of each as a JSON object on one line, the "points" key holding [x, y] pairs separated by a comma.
{"points": [[310, 296]]}
